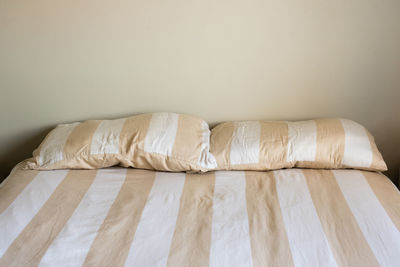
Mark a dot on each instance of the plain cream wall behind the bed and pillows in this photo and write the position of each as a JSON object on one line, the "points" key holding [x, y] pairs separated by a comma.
{"points": [[62, 61]]}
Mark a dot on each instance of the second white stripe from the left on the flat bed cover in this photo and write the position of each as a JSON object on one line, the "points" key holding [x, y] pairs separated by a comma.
{"points": [[72, 244]]}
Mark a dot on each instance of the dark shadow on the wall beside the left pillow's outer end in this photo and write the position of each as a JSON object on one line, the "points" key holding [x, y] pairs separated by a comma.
{"points": [[21, 151]]}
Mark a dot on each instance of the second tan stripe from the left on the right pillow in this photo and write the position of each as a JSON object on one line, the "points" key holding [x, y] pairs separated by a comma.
{"points": [[273, 145]]}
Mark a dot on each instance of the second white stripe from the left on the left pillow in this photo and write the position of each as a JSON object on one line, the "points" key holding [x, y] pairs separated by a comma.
{"points": [[105, 139]]}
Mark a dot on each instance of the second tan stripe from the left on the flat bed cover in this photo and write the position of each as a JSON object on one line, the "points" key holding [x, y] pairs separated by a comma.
{"points": [[29, 247]]}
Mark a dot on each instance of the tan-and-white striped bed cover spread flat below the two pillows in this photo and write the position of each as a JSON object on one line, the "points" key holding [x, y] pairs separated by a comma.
{"points": [[131, 217]]}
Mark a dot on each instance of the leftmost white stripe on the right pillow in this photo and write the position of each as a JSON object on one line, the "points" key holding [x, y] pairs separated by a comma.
{"points": [[245, 147]]}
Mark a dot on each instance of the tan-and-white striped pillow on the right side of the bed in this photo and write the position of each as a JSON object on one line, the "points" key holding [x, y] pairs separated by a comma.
{"points": [[267, 145]]}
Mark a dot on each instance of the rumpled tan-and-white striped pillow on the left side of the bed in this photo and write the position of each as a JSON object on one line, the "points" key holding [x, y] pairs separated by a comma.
{"points": [[158, 141]]}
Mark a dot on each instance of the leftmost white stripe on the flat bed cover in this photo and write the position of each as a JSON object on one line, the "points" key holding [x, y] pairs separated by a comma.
{"points": [[21, 211]]}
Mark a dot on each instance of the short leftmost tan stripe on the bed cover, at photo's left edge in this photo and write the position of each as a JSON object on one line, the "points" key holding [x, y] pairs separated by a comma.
{"points": [[13, 186]]}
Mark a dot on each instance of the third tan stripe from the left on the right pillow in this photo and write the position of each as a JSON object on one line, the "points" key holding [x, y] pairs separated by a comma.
{"points": [[330, 144]]}
